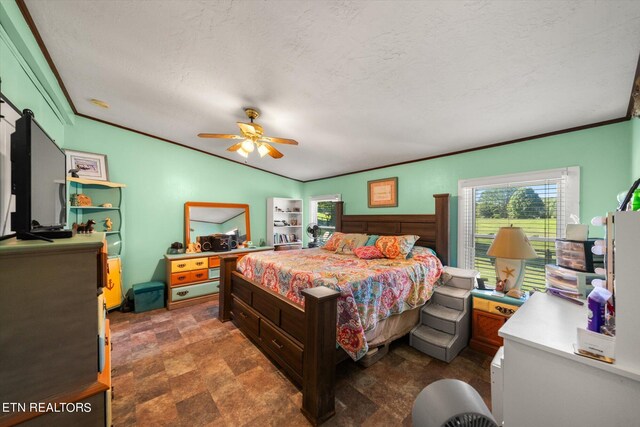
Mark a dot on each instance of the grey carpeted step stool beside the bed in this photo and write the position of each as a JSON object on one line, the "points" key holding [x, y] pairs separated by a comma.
{"points": [[445, 321]]}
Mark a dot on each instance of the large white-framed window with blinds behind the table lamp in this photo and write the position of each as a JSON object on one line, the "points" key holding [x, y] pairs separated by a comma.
{"points": [[541, 203]]}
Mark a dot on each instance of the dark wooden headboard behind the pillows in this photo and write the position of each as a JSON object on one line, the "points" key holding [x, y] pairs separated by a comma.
{"points": [[433, 229]]}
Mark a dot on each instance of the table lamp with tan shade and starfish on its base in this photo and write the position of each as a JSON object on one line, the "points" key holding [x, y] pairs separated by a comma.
{"points": [[511, 248]]}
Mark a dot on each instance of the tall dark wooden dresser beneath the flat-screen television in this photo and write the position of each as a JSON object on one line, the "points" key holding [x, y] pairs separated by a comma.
{"points": [[54, 339]]}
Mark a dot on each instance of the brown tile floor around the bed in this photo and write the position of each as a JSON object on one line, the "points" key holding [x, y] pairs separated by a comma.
{"points": [[184, 367]]}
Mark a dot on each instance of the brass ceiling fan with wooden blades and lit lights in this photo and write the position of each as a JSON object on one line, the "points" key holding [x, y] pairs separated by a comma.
{"points": [[252, 137]]}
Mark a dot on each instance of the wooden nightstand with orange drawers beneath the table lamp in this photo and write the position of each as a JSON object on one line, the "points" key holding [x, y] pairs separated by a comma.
{"points": [[490, 312]]}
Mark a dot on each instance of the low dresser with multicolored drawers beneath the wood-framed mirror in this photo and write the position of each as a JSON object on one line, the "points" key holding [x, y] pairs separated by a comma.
{"points": [[194, 278]]}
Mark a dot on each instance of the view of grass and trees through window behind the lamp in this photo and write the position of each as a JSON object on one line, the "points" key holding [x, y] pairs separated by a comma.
{"points": [[533, 208]]}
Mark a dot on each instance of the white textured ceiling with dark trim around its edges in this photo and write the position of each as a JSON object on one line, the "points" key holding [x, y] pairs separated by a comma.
{"points": [[359, 84]]}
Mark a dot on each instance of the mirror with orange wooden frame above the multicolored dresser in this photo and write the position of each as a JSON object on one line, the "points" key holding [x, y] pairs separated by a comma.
{"points": [[205, 218]]}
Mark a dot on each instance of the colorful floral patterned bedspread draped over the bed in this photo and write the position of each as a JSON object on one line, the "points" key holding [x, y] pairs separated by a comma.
{"points": [[371, 290]]}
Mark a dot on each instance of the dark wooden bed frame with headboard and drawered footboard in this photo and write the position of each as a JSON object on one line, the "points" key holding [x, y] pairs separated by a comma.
{"points": [[302, 341]]}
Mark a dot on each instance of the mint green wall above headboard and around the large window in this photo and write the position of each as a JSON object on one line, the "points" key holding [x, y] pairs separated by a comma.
{"points": [[602, 154]]}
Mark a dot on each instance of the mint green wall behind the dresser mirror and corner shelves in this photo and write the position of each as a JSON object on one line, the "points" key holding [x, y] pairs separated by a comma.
{"points": [[160, 178]]}
